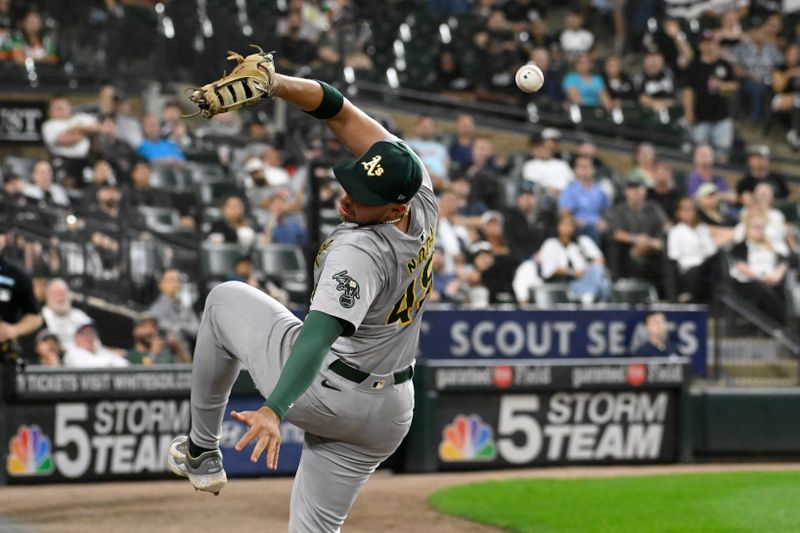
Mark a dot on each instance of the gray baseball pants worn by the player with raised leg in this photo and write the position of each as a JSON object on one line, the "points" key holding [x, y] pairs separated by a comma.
{"points": [[349, 432]]}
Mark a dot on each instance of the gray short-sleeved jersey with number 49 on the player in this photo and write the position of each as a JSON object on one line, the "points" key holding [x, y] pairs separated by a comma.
{"points": [[377, 278]]}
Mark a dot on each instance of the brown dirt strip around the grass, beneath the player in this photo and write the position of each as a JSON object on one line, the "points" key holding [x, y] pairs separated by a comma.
{"points": [[389, 503]]}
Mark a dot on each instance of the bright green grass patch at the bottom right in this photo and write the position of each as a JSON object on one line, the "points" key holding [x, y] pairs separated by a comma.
{"points": [[730, 502]]}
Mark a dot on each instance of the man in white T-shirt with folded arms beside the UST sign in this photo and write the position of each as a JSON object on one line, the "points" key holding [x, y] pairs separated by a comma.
{"points": [[67, 139]]}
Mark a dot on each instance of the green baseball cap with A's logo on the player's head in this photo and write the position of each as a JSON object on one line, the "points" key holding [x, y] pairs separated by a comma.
{"points": [[389, 173]]}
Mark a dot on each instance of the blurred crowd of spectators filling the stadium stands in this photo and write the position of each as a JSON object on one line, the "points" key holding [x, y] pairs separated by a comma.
{"points": [[115, 180]]}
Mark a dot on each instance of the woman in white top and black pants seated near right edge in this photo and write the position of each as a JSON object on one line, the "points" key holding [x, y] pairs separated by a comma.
{"points": [[758, 271]]}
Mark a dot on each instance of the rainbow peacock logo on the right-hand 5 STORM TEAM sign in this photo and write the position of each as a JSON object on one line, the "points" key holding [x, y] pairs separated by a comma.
{"points": [[467, 438]]}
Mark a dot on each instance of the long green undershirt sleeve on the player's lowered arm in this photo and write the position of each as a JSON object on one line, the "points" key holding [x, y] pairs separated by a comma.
{"points": [[318, 333]]}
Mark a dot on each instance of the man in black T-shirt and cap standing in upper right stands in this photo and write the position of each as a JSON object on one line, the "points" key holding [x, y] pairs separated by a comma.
{"points": [[709, 81]]}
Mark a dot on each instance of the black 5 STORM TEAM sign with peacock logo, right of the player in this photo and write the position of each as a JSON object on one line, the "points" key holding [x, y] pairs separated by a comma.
{"points": [[556, 428]]}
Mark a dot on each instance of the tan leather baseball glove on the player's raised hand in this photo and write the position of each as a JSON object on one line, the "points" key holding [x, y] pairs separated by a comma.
{"points": [[252, 79]]}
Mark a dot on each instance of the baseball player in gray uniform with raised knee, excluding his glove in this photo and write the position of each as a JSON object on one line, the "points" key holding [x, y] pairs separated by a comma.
{"points": [[344, 374]]}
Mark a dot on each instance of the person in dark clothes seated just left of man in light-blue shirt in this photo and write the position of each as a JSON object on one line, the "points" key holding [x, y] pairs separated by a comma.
{"points": [[528, 224]]}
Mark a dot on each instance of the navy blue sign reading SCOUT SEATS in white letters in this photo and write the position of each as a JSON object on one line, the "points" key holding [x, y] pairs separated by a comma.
{"points": [[516, 335]]}
